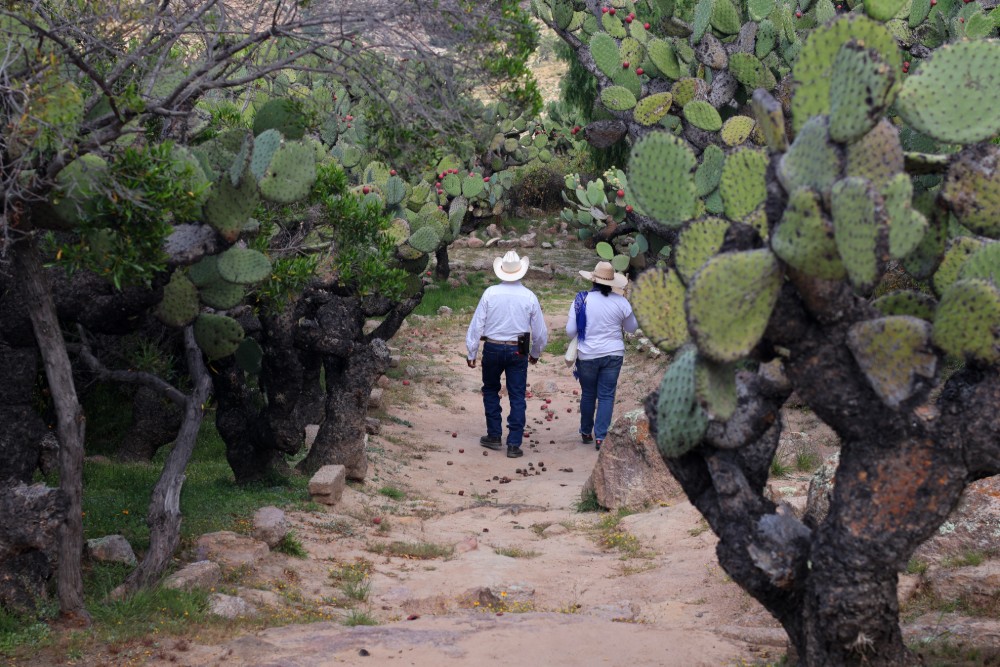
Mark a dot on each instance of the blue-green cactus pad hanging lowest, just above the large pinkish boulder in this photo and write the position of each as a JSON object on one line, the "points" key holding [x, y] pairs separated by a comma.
{"points": [[681, 423]]}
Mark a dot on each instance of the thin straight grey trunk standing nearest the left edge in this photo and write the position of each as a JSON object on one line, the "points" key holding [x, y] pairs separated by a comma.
{"points": [[70, 426]]}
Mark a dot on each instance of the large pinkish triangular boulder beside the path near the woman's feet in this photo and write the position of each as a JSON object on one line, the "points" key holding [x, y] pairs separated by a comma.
{"points": [[630, 473]]}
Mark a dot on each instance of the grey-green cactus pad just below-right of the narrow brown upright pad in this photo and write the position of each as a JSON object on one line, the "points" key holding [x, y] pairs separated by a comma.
{"points": [[812, 161]]}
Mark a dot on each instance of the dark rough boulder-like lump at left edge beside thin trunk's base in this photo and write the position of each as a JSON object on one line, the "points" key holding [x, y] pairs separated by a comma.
{"points": [[29, 520]]}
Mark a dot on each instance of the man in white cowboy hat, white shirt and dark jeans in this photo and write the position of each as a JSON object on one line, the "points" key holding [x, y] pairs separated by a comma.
{"points": [[505, 312]]}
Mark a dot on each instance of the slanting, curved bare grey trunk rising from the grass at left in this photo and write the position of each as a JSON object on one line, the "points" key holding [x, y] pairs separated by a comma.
{"points": [[164, 517]]}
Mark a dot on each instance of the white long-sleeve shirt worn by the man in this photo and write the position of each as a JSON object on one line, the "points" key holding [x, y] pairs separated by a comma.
{"points": [[506, 311]]}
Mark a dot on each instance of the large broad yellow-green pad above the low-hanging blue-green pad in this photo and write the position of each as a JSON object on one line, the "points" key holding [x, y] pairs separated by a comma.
{"points": [[730, 301]]}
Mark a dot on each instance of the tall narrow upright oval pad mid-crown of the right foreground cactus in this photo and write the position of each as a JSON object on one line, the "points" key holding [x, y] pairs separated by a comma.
{"points": [[859, 230]]}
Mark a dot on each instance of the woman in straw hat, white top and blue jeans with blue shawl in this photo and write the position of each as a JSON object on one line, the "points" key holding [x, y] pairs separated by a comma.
{"points": [[596, 319]]}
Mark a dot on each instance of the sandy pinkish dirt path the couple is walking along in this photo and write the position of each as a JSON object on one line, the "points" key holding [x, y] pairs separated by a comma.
{"points": [[528, 580]]}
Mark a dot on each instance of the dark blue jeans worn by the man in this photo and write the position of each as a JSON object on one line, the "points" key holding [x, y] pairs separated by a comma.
{"points": [[499, 360]]}
